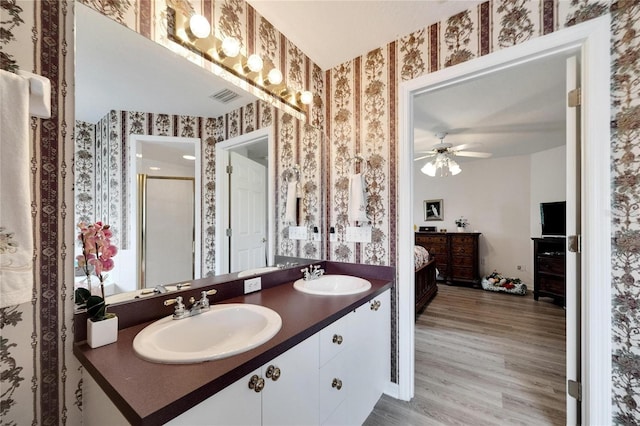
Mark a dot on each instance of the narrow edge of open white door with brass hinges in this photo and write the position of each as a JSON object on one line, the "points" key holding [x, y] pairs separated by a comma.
{"points": [[573, 287]]}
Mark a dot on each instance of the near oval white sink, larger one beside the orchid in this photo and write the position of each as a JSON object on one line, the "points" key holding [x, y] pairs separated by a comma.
{"points": [[222, 331]]}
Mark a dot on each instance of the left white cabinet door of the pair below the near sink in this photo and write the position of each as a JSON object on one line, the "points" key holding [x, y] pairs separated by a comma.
{"points": [[235, 405]]}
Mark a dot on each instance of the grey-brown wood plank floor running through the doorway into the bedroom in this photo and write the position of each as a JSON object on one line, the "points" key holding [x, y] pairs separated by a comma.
{"points": [[484, 358]]}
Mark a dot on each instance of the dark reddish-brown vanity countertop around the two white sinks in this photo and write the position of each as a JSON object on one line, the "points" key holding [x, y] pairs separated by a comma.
{"points": [[150, 393]]}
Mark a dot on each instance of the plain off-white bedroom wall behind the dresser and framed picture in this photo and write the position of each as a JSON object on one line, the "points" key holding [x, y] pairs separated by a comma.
{"points": [[501, 199]]}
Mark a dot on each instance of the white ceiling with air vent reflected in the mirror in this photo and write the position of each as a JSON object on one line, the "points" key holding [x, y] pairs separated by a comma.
{"points": [[117, 68]]}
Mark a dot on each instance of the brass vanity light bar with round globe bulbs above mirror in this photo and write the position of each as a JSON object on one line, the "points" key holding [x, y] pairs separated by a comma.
{"points": [[195, 34]]}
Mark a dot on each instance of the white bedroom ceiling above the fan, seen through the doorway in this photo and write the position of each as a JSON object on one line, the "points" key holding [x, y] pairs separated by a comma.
{"points": [[515, 111]]}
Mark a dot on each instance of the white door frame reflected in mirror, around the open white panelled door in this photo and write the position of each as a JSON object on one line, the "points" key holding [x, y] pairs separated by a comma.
{"points": [[222, 193]]}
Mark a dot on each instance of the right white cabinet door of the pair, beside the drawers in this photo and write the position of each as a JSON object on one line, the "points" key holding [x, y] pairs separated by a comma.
{"points": [[293, 399]]}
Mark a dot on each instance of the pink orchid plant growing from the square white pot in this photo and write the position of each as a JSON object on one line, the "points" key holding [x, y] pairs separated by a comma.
{"points": [[97, 252]]}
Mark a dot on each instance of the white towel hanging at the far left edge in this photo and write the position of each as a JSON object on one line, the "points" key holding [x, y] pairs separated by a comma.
{"points": [[16, 233]]}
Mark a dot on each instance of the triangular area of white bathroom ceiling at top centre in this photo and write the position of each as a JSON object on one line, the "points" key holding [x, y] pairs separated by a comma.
{"points": [[331, 32]]}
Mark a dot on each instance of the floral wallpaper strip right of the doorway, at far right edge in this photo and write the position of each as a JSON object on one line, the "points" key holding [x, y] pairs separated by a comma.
{"points": [[625, 147]]}
